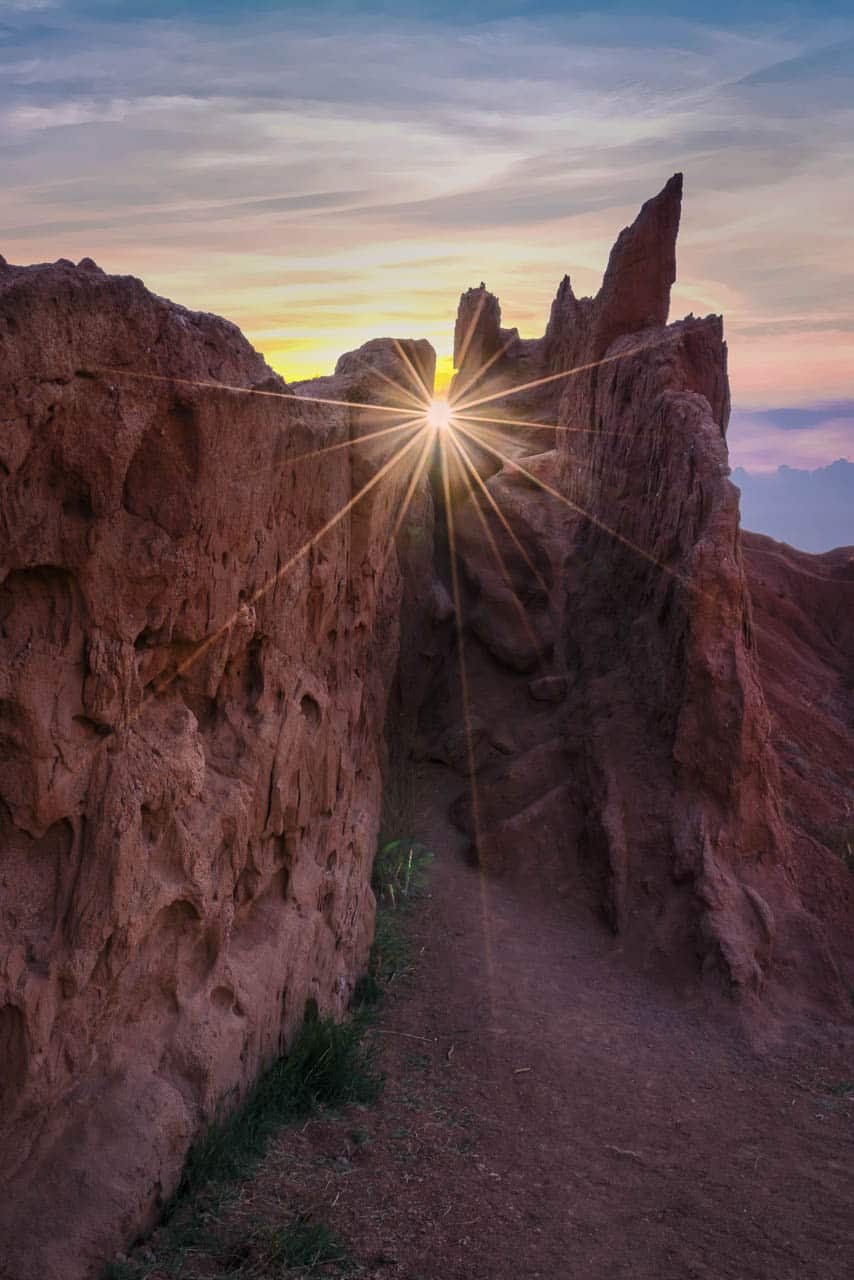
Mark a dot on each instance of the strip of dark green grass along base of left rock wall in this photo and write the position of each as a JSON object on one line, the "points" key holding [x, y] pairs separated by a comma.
{"points": [[327, 1067]]}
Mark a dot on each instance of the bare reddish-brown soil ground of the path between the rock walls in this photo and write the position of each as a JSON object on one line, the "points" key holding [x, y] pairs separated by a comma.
{"points": [[550, 1113]]}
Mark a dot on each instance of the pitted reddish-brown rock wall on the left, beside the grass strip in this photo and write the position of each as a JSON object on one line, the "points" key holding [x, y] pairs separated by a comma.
{"points": [[191, 732]]}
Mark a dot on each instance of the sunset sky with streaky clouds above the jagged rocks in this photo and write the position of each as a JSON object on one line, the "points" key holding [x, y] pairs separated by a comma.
{"points": [[328, 173]]}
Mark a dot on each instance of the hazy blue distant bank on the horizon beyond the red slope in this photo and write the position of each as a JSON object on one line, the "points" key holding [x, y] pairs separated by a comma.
{"points": [[811, 510]]}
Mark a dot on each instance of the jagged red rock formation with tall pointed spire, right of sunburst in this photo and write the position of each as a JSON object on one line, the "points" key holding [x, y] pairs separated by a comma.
{"points": [[628, 753]]}
